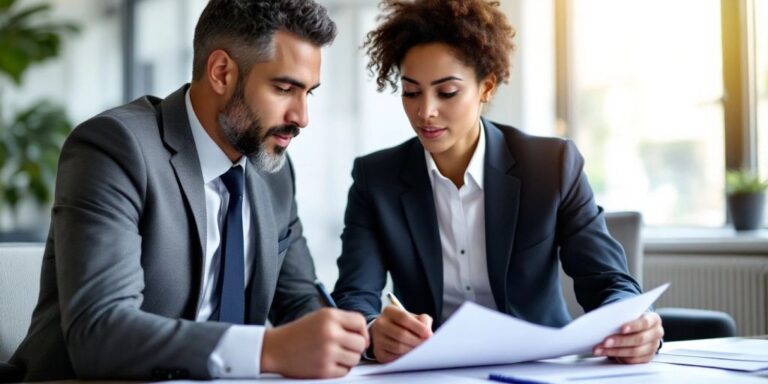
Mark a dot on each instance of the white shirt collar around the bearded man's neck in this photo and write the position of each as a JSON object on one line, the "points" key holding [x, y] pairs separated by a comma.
{"points": [[213, 161]]}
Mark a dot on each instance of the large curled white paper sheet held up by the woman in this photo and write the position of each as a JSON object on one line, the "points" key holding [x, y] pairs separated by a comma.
{"points": [[475, 335]]}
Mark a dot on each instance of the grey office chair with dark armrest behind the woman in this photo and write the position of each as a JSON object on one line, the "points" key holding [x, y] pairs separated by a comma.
{"points": [[679, 323]]}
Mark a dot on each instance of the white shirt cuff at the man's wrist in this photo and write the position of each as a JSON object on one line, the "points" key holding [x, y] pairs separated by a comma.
{"points": [[238, 354]]}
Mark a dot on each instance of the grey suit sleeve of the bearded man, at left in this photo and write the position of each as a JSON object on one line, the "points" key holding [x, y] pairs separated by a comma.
{"points": [[100, 196]]}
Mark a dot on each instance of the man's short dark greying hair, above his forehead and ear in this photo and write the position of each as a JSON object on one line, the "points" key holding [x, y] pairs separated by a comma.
{"points": [[244, 29]]}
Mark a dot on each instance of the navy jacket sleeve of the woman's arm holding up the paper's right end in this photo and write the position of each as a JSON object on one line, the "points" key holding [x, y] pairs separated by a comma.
{"points": [[588, 253]]}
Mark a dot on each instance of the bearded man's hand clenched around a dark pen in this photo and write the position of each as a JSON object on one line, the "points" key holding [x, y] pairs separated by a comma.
{"points": [[326, 343]]}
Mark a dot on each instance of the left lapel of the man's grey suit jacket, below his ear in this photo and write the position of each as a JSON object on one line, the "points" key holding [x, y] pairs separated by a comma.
{"points": [[177, 135]]}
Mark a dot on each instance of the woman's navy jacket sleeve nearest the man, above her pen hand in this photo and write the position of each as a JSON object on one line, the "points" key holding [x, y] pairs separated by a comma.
{"points": [[362, 273]]}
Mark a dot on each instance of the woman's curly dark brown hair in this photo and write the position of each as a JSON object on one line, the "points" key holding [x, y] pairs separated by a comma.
{"points": [[477, 31]]}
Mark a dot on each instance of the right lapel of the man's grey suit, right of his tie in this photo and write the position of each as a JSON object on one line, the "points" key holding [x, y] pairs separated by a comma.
{"points": [[261, 288]]}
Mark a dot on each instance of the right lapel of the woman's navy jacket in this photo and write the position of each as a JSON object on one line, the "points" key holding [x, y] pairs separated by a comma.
{"points": [[502, 196]]}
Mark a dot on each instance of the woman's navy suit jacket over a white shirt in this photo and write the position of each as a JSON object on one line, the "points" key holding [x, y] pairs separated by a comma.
{"points": [[539, 210]]}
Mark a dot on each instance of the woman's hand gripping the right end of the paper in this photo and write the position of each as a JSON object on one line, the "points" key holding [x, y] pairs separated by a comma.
{"points": [[636, 342]]}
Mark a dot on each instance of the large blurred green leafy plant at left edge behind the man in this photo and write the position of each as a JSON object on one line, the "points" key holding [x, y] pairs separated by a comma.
{"points": [[30, 140]]}
